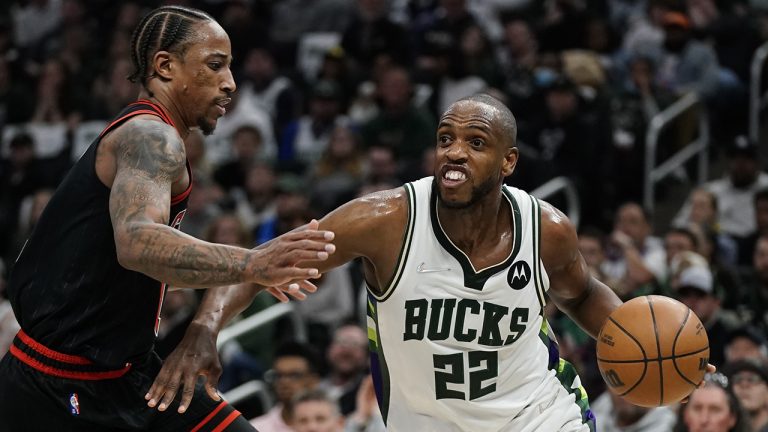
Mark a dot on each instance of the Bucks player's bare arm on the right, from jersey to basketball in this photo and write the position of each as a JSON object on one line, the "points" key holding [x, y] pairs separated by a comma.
{"points": [[571, 285]]}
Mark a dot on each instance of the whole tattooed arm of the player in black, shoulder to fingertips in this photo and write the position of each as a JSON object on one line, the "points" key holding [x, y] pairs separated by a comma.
{"points": [[149, 158]]}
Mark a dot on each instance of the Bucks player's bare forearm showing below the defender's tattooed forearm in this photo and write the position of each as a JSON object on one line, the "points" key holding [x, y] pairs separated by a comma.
{"points": [[221, 304]]}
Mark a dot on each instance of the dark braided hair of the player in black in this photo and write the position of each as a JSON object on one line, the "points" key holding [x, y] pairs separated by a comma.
{"points": [[166, 28]]}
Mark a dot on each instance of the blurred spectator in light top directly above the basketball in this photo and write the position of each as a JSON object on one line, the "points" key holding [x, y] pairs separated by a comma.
{"points": [[635, 257]]}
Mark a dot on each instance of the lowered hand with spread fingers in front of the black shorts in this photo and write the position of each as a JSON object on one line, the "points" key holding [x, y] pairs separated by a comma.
{"points": [[196, 355]]}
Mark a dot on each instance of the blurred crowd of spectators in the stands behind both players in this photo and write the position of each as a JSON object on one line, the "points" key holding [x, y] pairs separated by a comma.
{"points": [[339, 98]]}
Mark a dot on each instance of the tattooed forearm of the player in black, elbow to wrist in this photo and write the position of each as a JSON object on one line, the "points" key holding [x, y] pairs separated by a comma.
{"points": [[170, 256]]}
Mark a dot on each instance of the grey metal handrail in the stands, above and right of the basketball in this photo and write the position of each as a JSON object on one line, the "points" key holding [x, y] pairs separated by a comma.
{"points": [[696, 147]]}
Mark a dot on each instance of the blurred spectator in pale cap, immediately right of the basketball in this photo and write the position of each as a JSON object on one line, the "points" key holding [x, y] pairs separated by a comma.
{"points": [[693, 285]]}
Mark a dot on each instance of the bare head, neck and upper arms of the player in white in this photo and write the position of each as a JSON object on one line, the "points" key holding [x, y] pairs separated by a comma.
{"points": [[471, 140]]}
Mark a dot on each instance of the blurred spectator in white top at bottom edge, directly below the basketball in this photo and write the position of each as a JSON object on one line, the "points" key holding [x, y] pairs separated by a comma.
{"points": [[615, 414]]}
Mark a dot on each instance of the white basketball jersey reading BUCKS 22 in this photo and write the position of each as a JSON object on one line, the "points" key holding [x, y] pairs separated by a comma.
{"points": [[456, 348]]}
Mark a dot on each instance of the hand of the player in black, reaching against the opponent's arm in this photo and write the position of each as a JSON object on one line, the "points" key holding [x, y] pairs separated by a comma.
{"points": [[276, 262]]}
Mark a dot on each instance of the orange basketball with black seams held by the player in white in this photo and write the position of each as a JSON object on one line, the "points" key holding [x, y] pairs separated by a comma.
{"points": [[652, 351]]}
